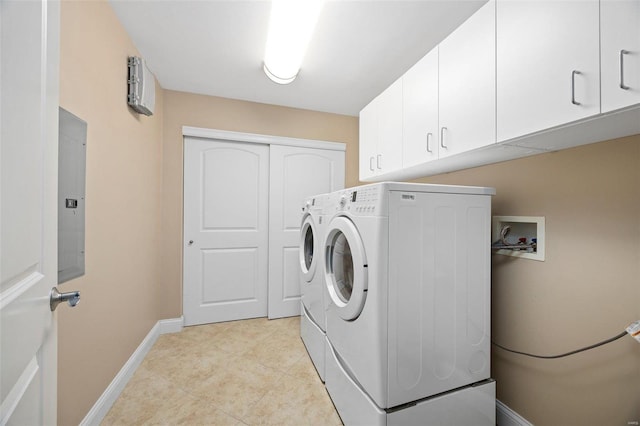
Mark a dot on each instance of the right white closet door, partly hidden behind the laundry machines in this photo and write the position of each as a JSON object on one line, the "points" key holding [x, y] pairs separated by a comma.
{"points": [[296, 174]]}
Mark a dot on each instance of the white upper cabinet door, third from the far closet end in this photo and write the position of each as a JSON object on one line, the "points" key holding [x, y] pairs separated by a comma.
{"points": [[420, 136]]}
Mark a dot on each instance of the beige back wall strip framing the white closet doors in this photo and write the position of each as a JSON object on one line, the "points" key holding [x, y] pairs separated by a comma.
{"points": [[184, 109]]}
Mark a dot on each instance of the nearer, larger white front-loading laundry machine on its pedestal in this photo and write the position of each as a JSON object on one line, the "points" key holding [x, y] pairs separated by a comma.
{"points": [[407, 270]]}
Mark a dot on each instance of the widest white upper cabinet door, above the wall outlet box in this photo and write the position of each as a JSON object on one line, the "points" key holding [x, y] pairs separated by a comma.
{"points": [[547, 64]]}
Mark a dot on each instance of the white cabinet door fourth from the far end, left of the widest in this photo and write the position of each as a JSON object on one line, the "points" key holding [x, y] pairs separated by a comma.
{"points": [[467, 84]]}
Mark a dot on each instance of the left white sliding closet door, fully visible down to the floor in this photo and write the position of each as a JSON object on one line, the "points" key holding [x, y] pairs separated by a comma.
{"points": [[226, 239]]}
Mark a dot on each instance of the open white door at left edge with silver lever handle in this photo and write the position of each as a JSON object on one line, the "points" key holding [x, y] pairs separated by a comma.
{"points": [[29, 132]]}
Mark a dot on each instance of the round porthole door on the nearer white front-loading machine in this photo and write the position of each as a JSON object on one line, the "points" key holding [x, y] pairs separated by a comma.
{"points": [[346, 268]]}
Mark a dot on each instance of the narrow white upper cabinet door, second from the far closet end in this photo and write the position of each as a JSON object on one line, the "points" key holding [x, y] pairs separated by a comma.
{"points": [[389, 155]]}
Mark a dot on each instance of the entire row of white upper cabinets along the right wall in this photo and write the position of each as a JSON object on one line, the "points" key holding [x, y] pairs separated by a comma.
{"points": [[519, 77]]}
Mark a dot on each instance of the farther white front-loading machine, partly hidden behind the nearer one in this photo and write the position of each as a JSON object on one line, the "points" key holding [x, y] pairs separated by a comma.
{"points": [[312, 319]]}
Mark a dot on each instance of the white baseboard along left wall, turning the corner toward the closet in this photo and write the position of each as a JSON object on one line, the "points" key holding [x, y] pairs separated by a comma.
{"points": [[111, 394]]}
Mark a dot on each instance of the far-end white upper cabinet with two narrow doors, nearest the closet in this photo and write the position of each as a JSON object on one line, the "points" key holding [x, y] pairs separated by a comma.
{"points": [[381, 133]]}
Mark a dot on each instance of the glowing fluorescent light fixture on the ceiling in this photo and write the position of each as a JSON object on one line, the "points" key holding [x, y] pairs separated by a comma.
{"points": [[290, 27]]}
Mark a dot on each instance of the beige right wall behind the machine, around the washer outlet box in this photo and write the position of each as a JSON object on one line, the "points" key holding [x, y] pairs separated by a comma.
{"points": [[586, 290]]}
